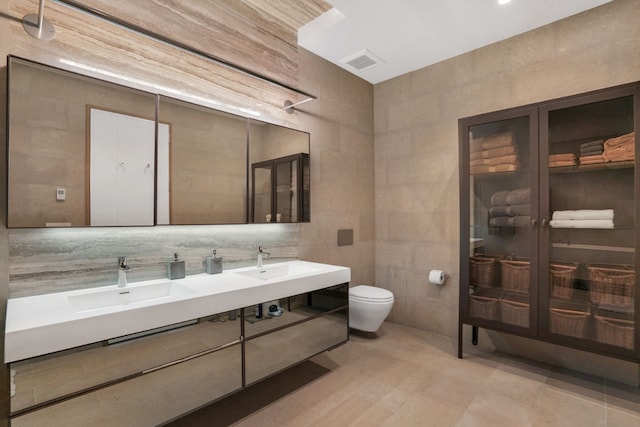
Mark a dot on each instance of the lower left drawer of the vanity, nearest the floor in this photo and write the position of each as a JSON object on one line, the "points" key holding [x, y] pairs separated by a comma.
{"points": [[150, 399]]}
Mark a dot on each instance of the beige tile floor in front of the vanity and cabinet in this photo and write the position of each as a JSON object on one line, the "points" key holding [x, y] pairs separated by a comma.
{"points": [[407, 377]]}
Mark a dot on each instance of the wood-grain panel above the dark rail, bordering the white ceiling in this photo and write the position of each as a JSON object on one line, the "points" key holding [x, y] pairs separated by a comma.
{"points": [[258, 35]]}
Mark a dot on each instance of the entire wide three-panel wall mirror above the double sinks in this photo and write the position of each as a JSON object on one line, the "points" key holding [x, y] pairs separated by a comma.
{"points": [[84, 152]]}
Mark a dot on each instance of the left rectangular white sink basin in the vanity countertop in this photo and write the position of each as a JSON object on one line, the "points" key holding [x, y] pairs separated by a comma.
{"points": [[127, 295]]}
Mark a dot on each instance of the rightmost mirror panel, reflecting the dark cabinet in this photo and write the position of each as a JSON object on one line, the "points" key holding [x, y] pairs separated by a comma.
{"points": [[279, 183]]}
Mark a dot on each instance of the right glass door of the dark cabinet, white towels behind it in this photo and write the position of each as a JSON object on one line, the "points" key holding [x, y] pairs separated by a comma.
{"points": [[589, 187]]}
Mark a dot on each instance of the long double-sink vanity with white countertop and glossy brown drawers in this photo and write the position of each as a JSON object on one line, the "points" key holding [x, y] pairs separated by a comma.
{"points": [[152, 351]]}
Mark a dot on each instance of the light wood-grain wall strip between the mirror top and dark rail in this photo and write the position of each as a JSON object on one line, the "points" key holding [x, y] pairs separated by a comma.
{"points": [[94, 47]]}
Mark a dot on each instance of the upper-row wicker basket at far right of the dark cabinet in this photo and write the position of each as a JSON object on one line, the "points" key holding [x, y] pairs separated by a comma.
{"points": [[612, 286]]}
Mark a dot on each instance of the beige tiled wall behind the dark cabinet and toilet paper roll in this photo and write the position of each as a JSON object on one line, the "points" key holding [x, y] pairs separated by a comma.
{"points": [[416, 146]]}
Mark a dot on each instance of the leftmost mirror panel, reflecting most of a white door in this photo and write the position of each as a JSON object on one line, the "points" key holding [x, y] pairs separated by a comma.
{"points": [[63, 126]]}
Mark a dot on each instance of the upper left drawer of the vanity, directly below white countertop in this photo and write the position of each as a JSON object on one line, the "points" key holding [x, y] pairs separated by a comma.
{"points": [[54, 376]]}
